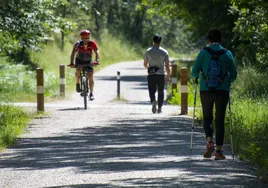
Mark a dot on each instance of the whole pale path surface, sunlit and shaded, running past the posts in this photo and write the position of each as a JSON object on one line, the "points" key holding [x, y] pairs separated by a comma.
{"points": [[116, 143]]}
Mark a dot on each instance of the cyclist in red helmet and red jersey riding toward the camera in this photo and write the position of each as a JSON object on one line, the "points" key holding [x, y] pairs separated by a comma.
{"points": [[82, 52]]}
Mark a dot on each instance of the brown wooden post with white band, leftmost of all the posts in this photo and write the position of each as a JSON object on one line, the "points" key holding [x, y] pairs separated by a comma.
{"points": [[40, 89]]}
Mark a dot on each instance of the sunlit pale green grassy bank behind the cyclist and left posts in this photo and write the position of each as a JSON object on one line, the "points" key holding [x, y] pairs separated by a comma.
{"points": [[18, 82]]}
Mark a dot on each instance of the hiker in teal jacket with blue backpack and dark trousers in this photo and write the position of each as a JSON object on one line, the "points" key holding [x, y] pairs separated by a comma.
{"points": [[216, 67]]}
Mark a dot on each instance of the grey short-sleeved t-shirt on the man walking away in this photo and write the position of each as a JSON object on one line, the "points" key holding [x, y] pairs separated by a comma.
{"points": [[156, 56]]}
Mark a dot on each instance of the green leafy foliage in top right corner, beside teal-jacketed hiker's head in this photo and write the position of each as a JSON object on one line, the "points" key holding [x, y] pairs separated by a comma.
{"points": [[251, 32]]}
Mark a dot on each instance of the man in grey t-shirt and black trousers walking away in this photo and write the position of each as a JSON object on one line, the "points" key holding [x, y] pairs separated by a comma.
{"points": [[156, 61]]}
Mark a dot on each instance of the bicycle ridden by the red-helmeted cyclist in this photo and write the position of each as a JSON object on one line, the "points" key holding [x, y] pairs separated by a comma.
{"points": [[84, 81]]}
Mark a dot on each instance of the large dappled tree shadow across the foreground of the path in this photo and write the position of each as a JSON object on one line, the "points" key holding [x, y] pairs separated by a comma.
{"points": [[129, 146]]}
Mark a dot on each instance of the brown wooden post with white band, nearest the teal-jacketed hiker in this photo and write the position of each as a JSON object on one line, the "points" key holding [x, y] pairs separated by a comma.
{"points": [[184, 90]]}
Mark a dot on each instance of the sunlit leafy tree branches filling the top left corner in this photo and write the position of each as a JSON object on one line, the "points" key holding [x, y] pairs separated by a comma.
{"points": [[25, 25]]}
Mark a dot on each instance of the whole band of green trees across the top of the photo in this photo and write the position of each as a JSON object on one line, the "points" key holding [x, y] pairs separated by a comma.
{"points": [[26, 25]]}
